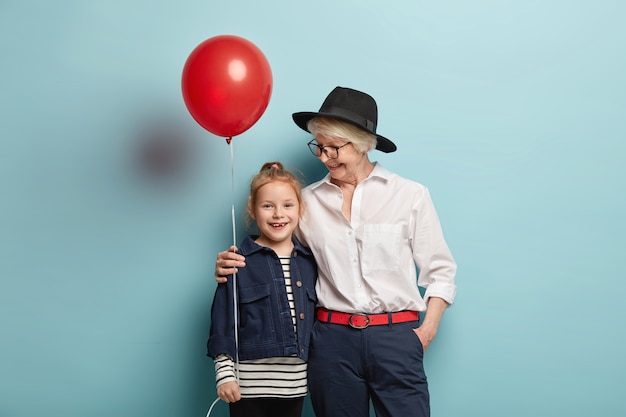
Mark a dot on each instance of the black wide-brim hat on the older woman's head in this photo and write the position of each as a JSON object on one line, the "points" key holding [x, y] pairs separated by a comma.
{"points": [[351, 106]]}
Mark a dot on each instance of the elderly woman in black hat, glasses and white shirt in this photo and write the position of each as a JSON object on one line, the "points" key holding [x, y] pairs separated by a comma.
{"points": [[368, 229]]}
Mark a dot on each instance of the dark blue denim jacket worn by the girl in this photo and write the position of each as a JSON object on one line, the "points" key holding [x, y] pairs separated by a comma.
{"points": [[265, 327]]}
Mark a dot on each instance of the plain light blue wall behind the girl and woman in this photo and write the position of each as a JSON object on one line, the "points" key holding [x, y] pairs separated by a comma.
{"points": [[115, 202]]}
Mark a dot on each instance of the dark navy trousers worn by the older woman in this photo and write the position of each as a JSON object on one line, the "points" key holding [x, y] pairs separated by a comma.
{"points": [[349, 367]]}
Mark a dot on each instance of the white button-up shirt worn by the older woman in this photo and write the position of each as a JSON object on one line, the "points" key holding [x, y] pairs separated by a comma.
{"points": [[368, 264]]}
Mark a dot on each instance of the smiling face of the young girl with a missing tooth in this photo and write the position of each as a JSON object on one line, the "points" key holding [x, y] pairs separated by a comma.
{"points": [[276, 211]]}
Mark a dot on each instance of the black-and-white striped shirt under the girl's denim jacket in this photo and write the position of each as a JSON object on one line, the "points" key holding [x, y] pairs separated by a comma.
{"points": [[281, 377]]}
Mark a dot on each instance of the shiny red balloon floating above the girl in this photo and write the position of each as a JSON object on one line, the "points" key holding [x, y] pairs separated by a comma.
{"points": [[227, 84]]}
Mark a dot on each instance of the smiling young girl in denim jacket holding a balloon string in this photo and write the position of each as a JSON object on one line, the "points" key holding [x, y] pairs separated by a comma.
{"points": [[276, 307]]}
